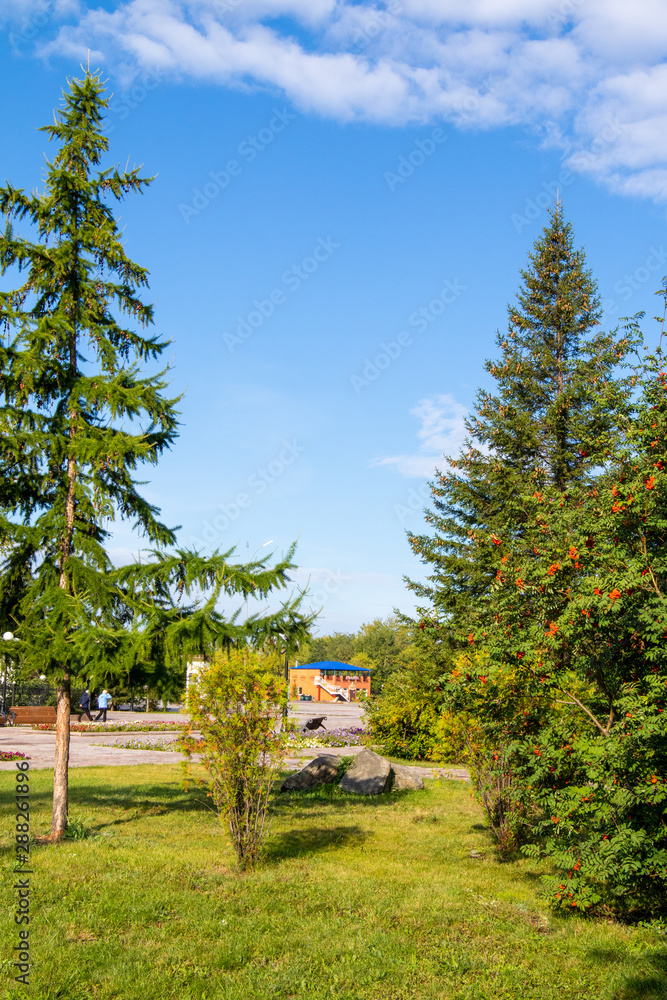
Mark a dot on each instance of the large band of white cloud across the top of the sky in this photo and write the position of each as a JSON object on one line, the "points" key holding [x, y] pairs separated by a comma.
{"points": [[565, 69]]}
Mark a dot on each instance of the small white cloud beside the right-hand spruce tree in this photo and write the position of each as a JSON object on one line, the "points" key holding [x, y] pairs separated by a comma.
{"points": [[442, 432]]}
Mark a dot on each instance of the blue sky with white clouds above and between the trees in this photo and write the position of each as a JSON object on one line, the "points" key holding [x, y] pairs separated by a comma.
{"points": [[344, 195]]}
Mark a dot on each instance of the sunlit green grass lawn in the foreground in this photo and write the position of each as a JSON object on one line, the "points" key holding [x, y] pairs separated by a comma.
{"points": [[357, 898]]}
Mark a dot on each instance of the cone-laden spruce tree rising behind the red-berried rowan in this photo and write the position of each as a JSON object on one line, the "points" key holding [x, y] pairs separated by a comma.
{"points": [[548, 421]]}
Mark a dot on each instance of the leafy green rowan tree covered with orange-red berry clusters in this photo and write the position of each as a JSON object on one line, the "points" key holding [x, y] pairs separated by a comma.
{"points": [[578, 633]]}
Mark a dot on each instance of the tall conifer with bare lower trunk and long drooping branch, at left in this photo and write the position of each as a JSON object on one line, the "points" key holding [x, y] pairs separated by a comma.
{"points": [[78, 417]]}
